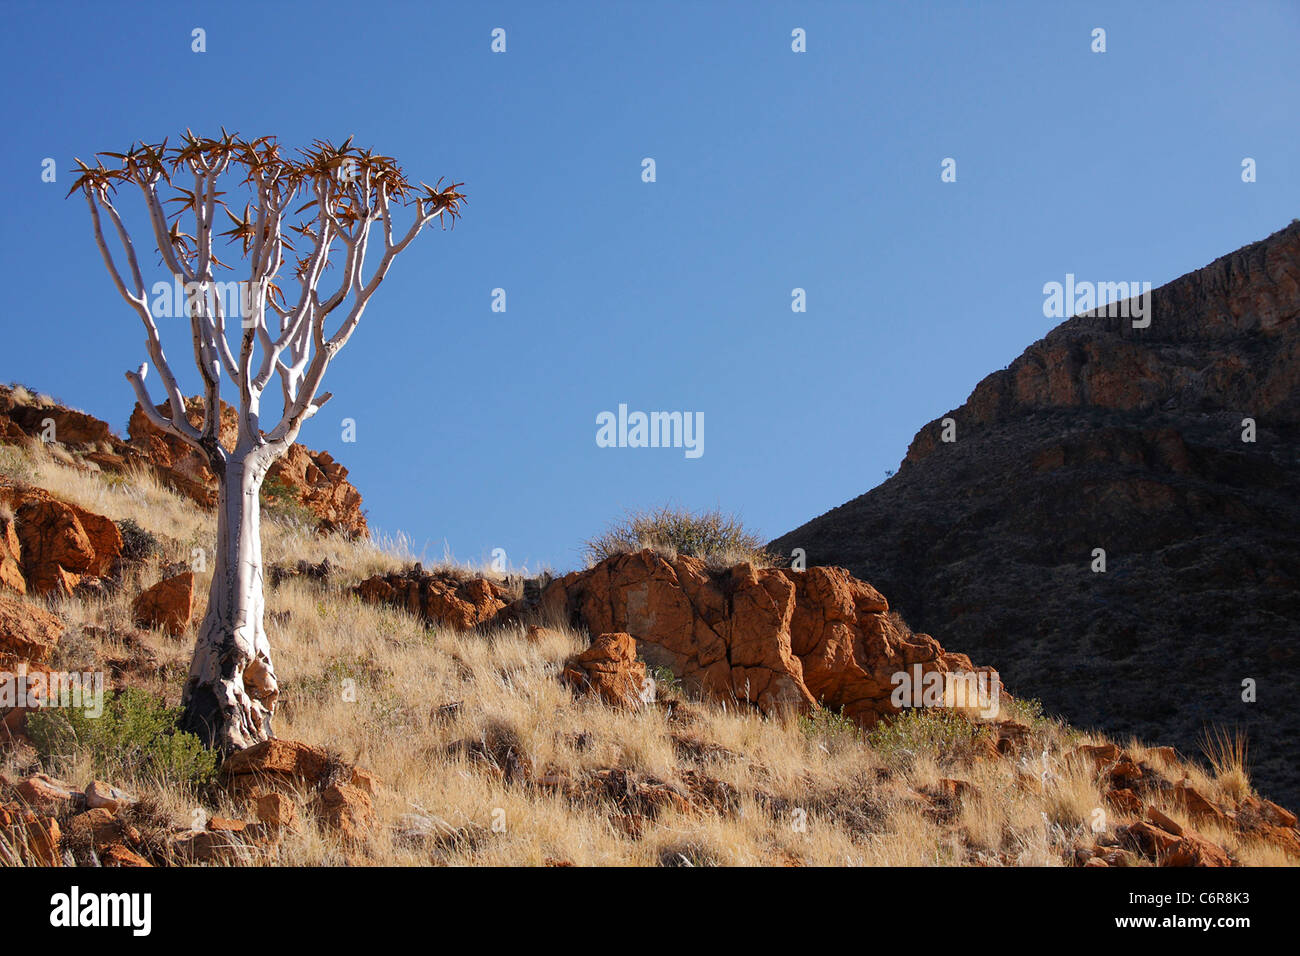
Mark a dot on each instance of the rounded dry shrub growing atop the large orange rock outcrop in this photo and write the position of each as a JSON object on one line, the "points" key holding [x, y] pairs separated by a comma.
{"points": [[720, 540]]}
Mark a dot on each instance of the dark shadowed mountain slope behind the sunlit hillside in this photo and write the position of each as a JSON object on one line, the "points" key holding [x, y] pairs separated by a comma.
{"points": [[1103, 436]]}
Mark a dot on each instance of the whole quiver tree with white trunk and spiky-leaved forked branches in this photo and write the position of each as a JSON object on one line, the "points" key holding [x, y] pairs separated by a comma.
{"points": [[231, 693]]}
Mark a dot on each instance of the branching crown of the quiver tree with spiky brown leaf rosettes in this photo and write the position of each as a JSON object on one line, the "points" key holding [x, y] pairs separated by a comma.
{"points": [[349, 191]]}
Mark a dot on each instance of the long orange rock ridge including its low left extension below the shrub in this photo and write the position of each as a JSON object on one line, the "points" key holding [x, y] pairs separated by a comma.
{"points": [[778, 639]]}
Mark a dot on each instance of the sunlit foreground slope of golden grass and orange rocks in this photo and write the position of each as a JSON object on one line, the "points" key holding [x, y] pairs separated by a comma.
{"points": [[649, 711]]}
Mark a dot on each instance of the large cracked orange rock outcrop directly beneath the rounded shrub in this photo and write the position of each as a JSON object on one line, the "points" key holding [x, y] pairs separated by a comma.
{"points": [[772, 637]]}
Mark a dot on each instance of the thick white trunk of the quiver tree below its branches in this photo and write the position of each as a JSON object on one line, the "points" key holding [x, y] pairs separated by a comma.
{"points": [[231, 694]]}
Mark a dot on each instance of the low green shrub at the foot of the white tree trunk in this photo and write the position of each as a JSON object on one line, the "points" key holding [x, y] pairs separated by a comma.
{"points": [[137, 734]]}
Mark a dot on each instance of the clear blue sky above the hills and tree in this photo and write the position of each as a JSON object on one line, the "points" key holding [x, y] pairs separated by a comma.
{"points": [[775, 170]]}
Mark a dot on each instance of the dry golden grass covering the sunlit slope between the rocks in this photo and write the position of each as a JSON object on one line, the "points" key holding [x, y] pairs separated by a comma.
{"points": [[369, 682]]}
